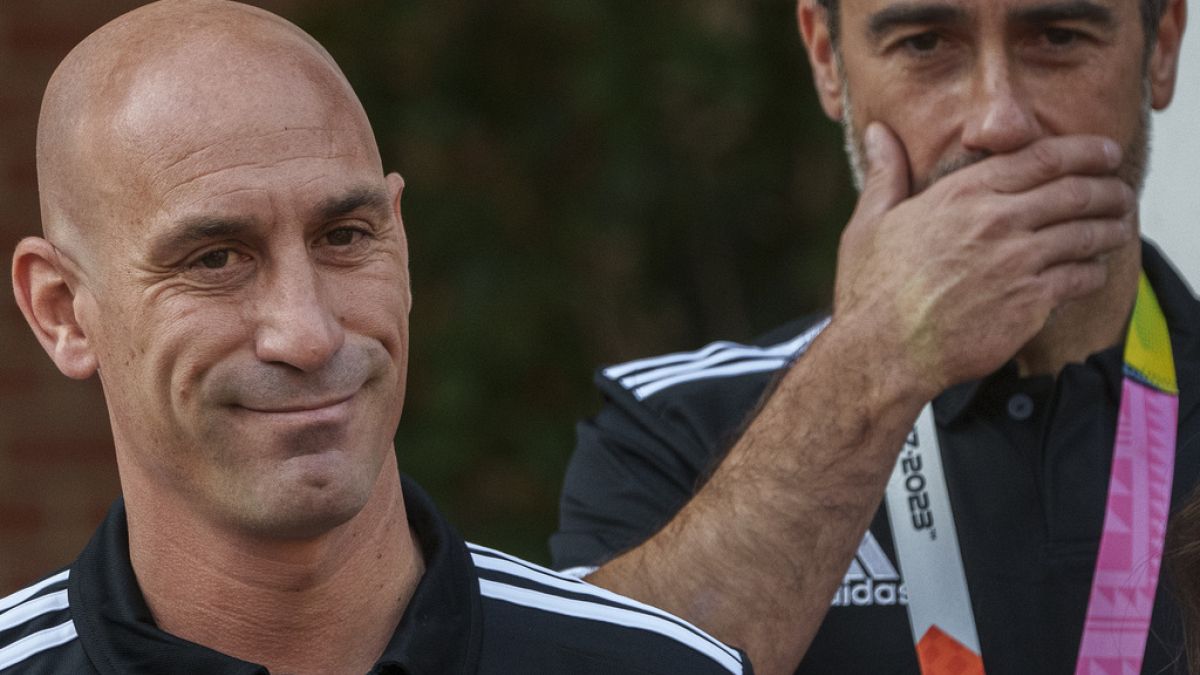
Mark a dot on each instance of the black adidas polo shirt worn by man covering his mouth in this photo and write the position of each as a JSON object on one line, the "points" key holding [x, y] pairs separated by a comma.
{"points": [[1028, 464]]}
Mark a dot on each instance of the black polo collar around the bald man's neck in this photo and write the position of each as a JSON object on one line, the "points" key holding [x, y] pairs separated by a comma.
{"points": [[439, 634]]}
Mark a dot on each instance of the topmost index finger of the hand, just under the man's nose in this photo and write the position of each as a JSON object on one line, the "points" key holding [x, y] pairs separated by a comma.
{"points": [[1048, 159]]}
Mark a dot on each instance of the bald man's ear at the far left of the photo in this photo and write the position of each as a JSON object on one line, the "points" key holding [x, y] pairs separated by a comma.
{"points": [[46, 296]]}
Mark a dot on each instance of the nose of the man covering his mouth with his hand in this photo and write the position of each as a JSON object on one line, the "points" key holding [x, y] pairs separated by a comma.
{"points": [[1000, 112]]}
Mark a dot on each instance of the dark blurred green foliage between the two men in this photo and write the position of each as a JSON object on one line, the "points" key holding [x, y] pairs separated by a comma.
{"points": [[589, 182]]}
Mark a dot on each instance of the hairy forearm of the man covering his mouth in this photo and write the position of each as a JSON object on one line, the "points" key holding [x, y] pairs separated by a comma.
{"points": [[793, 499]]}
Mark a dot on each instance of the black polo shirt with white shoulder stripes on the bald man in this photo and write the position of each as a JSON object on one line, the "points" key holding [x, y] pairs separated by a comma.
{"points": [[475, 611]]}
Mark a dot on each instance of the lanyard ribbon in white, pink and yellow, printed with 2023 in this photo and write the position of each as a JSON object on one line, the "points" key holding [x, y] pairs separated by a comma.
{"points": [[1123, 596]]}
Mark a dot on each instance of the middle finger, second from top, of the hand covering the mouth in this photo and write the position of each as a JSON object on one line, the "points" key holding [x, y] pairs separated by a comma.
{"points": [[1073, 198]]}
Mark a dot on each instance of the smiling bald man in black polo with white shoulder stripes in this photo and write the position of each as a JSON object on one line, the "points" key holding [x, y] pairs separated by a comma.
{"points": [[224, 250]]}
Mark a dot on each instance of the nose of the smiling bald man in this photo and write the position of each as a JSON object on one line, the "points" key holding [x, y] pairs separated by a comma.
{"points": [[297, 324]]}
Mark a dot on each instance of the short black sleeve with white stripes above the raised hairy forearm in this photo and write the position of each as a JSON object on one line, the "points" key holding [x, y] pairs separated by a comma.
{"points": [[667, 425]]}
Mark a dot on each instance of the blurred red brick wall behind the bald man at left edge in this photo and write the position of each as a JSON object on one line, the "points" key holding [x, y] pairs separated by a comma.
{"points": [[57, 468]]}
